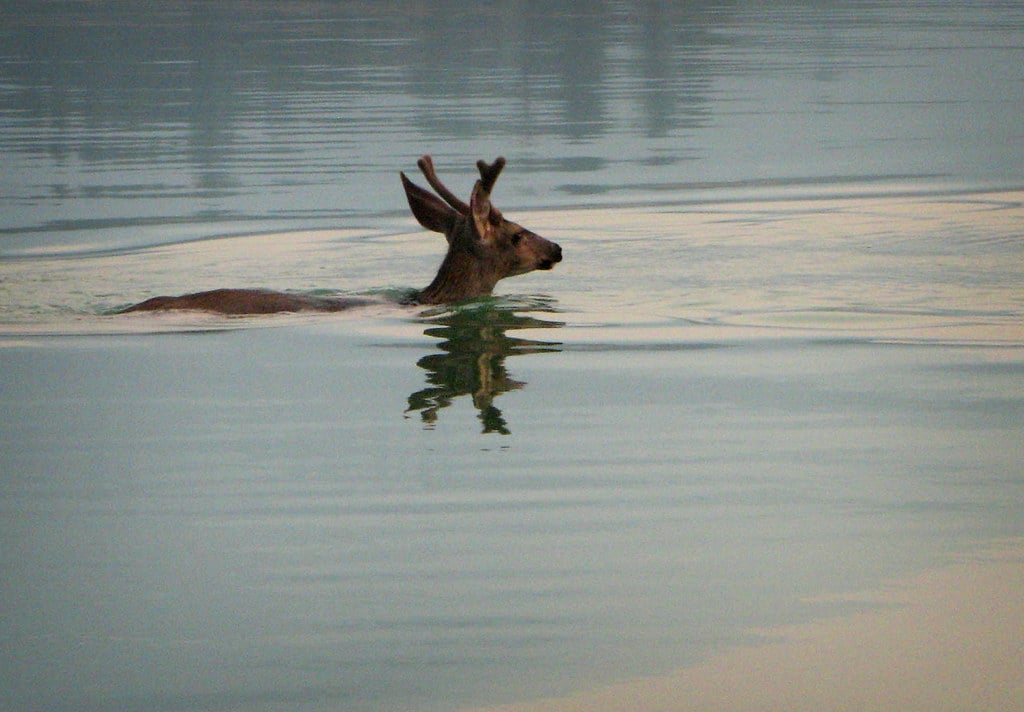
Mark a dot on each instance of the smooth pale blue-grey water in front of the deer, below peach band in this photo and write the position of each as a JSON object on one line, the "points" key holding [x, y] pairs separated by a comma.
{"points": [[244, 520]]}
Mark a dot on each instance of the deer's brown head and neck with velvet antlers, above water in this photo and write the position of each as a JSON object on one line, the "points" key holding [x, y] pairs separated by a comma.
{"points": [[484, 247]]}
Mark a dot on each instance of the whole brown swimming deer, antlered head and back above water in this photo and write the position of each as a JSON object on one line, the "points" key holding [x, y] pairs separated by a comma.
{"points": [[484, 247]]}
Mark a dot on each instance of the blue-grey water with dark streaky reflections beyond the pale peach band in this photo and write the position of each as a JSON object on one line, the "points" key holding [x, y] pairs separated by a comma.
{"points": [[121, 120]]}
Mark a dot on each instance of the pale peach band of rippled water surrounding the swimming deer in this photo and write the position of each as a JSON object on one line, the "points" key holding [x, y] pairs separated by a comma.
{"points": [[929, 269]]}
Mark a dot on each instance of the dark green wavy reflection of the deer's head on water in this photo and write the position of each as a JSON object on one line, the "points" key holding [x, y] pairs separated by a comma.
{"points": [[474, 347]]}
